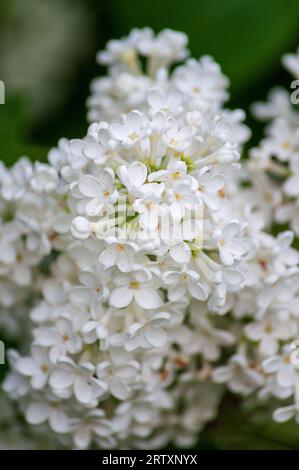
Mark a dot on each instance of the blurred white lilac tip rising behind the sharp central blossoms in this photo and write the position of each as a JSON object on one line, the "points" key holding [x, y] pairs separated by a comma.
{"points": [[139, 77]]}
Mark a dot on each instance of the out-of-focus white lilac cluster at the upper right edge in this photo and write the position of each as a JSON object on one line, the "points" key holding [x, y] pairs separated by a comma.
{"points": [[277, 157]]}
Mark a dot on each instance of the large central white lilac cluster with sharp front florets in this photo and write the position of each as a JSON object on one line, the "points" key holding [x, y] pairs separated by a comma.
{"points": [[158, 283]]}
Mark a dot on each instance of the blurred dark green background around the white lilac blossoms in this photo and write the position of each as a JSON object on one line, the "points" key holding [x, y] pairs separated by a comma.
{"points": [[47, 60]]}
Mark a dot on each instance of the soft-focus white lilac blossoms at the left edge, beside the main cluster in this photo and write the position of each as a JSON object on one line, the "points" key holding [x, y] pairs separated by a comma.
{"points": [[28, 215]]}
